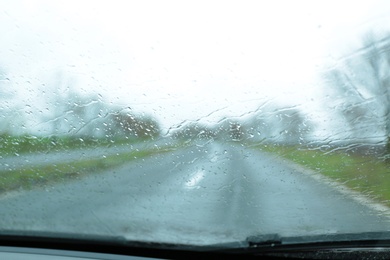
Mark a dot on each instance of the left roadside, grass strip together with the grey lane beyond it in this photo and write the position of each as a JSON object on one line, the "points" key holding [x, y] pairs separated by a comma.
{"points": [[33, 170]]}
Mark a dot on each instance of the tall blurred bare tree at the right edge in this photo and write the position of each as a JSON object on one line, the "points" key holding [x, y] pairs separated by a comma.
{"points": [[362, 83]]}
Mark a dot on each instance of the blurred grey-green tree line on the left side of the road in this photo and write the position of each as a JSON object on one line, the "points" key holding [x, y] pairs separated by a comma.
{"points": [[64, 112]]}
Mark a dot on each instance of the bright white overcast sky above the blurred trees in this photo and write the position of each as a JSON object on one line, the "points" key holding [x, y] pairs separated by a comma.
{"points": [[181, 60]]}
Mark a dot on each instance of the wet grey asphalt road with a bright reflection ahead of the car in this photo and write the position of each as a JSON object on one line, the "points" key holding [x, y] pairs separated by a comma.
{"points": [[201, 194]]}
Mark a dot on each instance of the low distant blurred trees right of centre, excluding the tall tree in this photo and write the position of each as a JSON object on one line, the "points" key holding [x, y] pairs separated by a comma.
{"points": [[273, 124]]}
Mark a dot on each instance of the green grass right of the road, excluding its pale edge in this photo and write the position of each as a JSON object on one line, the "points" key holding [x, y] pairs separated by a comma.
{"points": [[365, 174]]}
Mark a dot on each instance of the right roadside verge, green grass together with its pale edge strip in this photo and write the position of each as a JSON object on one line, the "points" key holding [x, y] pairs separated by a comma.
{"points": [[349, 176]]}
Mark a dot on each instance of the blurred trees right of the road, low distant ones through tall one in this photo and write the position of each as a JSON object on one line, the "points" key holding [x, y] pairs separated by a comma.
{"points": [[358, 88]]}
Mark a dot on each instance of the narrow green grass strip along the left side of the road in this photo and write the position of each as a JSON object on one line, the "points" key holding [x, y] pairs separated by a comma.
{"points": [[30, 177]]}
